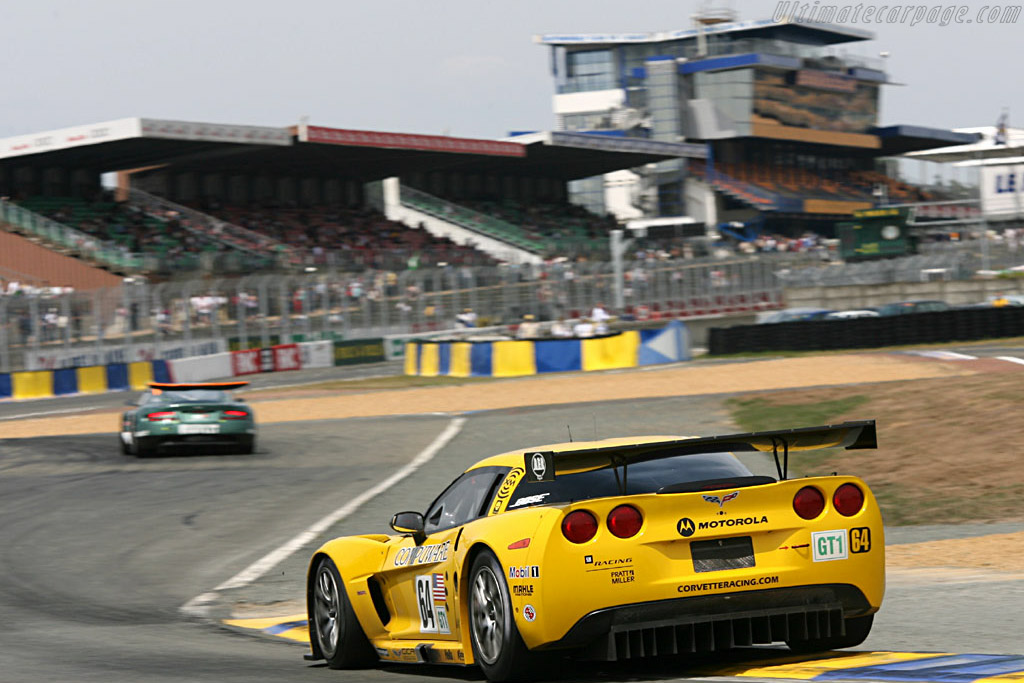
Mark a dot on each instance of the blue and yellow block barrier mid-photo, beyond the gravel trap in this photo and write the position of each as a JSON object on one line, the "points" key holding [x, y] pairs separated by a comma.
{"points": [[523, 358]]}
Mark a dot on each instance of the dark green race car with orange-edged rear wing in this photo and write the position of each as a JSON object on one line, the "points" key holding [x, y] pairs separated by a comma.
{"points": [[186, 415]]}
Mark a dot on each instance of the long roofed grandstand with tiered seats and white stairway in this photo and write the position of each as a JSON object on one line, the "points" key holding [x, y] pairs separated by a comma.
{"points": [[211, 198]]}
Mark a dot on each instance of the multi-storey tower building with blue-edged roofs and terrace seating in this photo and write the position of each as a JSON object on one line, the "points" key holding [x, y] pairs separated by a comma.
{"points": [[790, 121]]}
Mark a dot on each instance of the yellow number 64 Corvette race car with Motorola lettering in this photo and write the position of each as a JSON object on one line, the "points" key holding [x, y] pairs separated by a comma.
{"points": [[610, 550]]}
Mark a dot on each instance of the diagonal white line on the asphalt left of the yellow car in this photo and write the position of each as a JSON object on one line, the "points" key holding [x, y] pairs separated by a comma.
{"points": [[198, 605]]}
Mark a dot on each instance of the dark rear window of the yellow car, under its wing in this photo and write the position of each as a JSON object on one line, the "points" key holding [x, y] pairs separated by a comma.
{"points": [[646, 478]]}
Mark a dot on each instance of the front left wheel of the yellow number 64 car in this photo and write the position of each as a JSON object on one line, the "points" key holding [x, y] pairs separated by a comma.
{"points": [[334, 631]]}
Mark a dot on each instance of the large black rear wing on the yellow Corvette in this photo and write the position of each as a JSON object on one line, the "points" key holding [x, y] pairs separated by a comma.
{"points": [[544, 466]]}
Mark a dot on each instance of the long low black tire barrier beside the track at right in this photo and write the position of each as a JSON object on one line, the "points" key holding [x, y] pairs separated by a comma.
{"points": [[937, 327]]}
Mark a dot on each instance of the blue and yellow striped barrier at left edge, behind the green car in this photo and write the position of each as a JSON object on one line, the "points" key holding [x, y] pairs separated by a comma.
{"points": [[98, 379]]}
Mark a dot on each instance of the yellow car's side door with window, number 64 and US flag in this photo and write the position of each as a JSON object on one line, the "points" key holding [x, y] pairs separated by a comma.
{"points": [[420, 579]]}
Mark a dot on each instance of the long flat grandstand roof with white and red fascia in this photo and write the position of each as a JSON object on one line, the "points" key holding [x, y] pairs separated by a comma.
{"points": [[304, 151]]}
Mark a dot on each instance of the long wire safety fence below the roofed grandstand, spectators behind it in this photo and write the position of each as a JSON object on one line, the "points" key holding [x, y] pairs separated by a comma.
{"points": [[142, 321]]}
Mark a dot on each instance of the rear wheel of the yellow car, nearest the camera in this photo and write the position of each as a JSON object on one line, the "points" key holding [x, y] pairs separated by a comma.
{"points": [[498, 648]]}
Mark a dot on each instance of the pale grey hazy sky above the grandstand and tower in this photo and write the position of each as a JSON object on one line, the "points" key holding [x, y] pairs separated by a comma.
{"points": [[464, 68]]}
